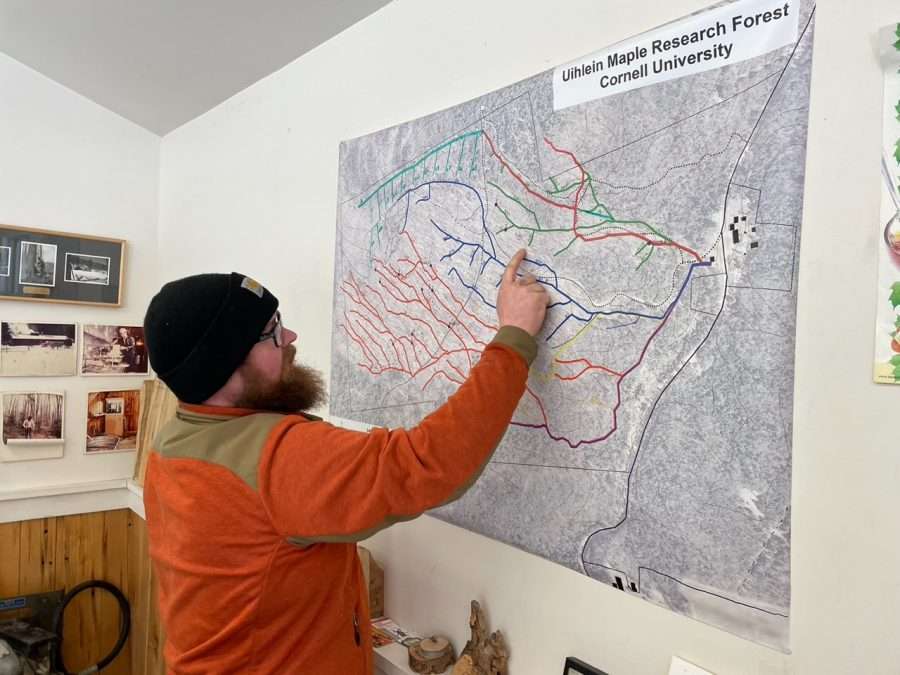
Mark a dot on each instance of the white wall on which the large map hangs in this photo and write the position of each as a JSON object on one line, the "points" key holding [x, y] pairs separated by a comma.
{"points": [[251, 186]]}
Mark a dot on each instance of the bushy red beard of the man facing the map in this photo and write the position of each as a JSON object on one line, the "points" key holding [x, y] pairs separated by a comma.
{"points": [[300, 388]]}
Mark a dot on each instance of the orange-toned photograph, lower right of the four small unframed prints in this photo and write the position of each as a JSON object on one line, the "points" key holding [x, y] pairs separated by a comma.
{"points": [[112, 421]]}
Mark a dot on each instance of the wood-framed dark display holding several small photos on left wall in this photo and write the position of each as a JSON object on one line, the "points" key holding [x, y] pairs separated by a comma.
{"points": [[92, 268]]}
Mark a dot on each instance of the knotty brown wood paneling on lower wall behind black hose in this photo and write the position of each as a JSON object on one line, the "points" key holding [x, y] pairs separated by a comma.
{"points": [[58, 553]]}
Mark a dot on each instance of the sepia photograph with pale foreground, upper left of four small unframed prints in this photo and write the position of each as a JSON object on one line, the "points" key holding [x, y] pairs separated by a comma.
{"points": [[42, 349]]}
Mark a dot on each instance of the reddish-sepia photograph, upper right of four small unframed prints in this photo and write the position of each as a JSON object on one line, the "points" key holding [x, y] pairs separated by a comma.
{"points": [[113, 350]]}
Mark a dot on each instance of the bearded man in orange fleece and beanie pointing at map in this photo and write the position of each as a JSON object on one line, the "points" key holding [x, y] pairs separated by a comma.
{"points": [[254, 507]]}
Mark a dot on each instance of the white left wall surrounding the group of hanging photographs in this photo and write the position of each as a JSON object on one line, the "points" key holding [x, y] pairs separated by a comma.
{"points": [[67, 164]]}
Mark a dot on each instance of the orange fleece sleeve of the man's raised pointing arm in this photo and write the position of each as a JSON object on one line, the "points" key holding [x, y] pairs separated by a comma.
{"points": [[323, 483]]}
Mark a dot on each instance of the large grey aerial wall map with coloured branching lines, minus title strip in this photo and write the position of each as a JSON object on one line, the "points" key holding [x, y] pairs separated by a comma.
{"points": [[652, 450]]}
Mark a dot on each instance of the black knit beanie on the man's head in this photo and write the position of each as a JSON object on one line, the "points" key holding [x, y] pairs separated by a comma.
{"points": [[200, 329]]}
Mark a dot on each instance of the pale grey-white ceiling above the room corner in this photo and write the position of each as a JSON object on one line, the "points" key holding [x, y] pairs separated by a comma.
{"points": [[160, 63]]}
